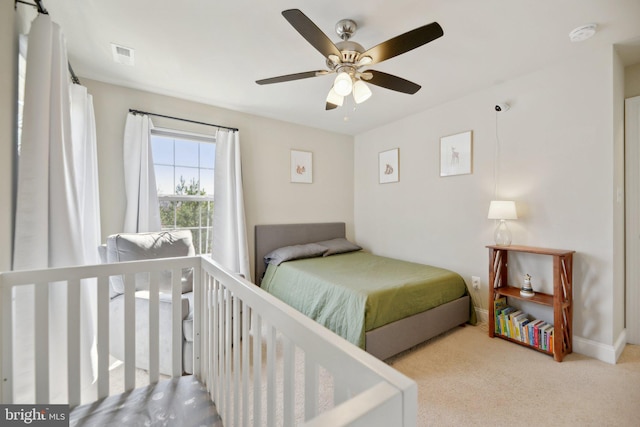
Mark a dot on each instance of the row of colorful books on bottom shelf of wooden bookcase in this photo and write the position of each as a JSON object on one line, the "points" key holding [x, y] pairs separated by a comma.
{"points": [[513, 323]]}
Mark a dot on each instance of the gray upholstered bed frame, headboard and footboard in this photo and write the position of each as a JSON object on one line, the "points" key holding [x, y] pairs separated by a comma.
{"points": [[382, 342]]}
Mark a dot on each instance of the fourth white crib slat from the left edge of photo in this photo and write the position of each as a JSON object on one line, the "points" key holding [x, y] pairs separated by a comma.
{"points": [[102, 340]]}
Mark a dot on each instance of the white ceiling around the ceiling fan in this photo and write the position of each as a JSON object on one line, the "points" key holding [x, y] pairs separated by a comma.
{"points": [[214, 51]]}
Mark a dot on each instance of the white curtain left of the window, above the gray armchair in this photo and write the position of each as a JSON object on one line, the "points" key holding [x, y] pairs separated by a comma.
{"points": [[142, 211]]}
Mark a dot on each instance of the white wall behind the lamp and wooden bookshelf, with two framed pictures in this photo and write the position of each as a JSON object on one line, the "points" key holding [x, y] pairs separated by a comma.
{"points": [[556, 159]]}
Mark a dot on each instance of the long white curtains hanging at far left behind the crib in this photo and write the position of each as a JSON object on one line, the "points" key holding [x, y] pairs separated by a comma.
{"points": [[50, 222]]}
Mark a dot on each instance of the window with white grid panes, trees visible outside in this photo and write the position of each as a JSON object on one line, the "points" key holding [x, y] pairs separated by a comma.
{"points": [[184, 168]]}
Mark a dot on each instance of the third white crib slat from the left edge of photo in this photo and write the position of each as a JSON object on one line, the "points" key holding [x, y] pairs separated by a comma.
{"points": [[73, 341]]}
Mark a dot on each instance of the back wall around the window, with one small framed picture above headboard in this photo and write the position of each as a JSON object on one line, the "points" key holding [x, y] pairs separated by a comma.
{"points": [[270, 197]]}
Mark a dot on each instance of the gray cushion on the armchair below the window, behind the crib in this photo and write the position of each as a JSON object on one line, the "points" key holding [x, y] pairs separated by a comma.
{"points": [[143, 246]]}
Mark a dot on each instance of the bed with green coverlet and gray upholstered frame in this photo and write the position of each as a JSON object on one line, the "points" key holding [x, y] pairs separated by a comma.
{"points": [[387, 312]]}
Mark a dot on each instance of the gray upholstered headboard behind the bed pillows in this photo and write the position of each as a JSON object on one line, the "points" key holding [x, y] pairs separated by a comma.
{"points": [[273, 236]]}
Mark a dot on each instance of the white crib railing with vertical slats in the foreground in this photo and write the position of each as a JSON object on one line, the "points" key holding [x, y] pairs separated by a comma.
{"points": [[262, 362]]}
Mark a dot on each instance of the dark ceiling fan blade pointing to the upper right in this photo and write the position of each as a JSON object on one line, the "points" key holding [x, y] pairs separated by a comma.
{"points": [[404, 42]]}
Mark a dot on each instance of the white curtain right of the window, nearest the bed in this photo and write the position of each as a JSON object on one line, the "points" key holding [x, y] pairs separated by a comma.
{"points": [[229, 246]]}
